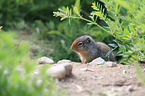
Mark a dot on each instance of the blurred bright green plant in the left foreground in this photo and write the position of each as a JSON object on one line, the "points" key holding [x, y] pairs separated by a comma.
{"points": [[17, 71]]}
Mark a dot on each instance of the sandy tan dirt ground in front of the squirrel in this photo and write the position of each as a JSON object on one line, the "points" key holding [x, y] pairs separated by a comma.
{"points": [[101, 80]]}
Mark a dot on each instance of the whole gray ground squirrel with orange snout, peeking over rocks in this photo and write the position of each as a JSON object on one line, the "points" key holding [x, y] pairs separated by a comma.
{"points": [[89, 50]]}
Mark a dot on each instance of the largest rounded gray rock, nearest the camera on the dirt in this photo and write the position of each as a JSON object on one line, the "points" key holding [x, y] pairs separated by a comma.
{"points": [[60, 71]]}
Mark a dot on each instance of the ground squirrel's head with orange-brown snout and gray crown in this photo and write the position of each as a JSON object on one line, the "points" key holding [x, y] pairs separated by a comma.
{"points": [[83, 44]]}
